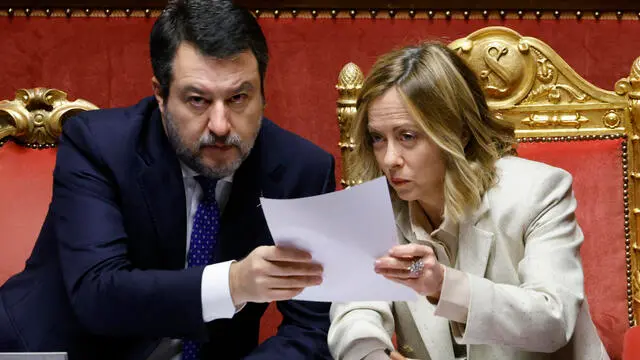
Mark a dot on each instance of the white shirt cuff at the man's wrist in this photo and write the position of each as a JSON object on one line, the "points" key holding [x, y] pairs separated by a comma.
{"points": [[215, 292]]}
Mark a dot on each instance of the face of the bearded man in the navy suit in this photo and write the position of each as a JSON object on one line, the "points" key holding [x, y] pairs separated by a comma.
{"points": [[213, 112]]}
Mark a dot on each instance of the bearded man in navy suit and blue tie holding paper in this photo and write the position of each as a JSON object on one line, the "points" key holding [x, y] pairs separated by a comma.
{"points": [[155, 231]]}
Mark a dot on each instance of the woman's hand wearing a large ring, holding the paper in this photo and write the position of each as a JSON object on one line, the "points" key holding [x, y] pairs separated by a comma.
{"points": [[396, 267]]}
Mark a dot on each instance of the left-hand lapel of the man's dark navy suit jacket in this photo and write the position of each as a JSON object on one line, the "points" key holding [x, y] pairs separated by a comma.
{"points": [[161, 185]]}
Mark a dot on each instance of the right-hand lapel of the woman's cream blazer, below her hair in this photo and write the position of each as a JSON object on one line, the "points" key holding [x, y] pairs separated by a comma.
{"points": [[474, 243]]}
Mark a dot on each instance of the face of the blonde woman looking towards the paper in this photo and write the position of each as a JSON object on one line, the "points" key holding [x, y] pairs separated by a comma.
{"points": [[411, 161]]}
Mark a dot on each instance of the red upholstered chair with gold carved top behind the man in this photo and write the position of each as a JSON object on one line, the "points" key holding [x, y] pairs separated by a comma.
{"points": [[29, 129]]}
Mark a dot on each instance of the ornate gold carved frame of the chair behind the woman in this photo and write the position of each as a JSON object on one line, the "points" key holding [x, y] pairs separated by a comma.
{"points": [[530, 85]]}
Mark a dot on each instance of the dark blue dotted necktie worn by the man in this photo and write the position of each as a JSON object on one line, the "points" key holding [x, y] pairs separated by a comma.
{"points": [[204, 236]]}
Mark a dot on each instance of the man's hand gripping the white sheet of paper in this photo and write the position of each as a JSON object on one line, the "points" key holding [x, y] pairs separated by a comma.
{"points": [[271, 273]]}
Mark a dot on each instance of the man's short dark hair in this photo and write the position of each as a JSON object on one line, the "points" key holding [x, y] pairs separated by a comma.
{"points": [[217, 28]]}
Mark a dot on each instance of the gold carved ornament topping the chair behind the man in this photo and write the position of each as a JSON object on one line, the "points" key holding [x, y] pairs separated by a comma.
{"points": [[34, 118]]}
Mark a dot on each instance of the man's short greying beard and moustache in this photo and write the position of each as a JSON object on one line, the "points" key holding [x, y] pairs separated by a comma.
{"points": [[191, 156]]}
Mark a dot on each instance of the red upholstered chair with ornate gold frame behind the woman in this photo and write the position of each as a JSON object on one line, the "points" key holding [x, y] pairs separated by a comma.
{"points": [[563, 120]]}
